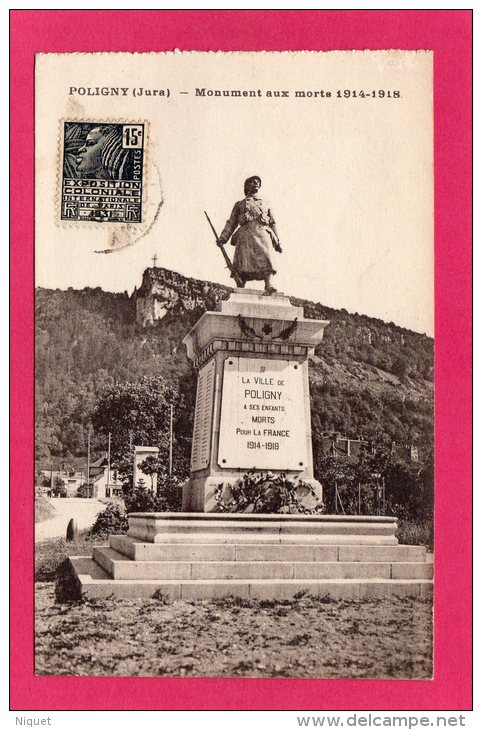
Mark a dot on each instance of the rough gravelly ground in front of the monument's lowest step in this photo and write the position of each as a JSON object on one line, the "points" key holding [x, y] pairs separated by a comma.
{"points": [[306, 637]]}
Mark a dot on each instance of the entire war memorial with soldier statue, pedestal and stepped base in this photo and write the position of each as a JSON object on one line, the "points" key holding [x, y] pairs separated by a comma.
{"points": [[252, 420]]}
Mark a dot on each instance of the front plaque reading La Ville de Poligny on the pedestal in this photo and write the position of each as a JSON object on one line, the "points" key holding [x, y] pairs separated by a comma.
{"points": [[262, 415]]}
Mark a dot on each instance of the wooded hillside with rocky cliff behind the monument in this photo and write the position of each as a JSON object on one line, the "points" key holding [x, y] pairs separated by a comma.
{"points": [[368, 377]]}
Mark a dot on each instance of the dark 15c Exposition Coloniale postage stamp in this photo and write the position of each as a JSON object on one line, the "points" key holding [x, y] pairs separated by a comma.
{"points": [[102, 172]]}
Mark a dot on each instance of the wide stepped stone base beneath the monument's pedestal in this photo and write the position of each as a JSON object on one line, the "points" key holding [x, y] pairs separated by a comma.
{"points": [[193, 556]]}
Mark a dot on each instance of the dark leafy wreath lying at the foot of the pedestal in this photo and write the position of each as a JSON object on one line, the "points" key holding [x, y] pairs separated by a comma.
{"points": [[264, 493]]}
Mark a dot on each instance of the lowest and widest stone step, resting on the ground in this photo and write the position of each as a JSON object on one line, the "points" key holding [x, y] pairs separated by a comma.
{"points": [[94, 582]]}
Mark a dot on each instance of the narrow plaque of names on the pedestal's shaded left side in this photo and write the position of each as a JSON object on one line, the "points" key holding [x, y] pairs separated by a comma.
{"points": [[203, 417]]}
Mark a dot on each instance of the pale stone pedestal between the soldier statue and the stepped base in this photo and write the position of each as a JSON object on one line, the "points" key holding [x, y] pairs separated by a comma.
{"points": [[252, 403]]}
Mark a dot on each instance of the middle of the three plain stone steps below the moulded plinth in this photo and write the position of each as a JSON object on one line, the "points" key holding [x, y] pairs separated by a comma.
{"points": [[121, 567]]}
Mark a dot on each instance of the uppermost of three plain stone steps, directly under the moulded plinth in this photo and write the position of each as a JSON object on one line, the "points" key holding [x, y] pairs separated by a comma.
{"points": [[247, 552]]}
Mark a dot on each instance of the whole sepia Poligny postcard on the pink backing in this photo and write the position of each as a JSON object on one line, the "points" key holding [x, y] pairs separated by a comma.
{"points": [[234, 364]]}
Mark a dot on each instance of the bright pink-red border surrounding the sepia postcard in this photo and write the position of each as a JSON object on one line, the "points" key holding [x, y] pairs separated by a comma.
{"points": [[449, 35]]}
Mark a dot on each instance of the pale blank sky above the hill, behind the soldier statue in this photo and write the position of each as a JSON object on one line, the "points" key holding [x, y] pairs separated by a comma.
{"points": [[349, 178]]}
